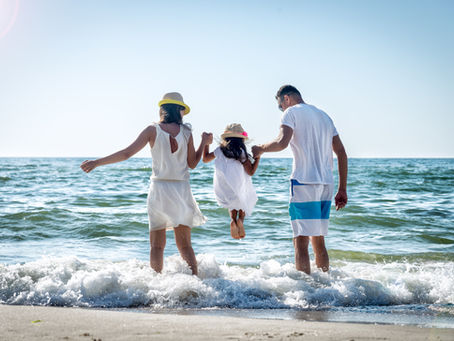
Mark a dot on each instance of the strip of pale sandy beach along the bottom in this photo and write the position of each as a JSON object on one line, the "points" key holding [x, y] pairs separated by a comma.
{"points": [[51, 323]]}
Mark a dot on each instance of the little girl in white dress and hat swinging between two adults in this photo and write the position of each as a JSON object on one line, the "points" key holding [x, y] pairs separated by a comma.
{"points": [[232, 177]]}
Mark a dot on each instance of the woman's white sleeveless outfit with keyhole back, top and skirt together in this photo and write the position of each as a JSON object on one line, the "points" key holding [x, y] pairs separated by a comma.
{"points": [[170, 201]]}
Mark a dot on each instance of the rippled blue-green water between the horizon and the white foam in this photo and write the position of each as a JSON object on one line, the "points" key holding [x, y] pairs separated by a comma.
{"points": [[395, 206]]}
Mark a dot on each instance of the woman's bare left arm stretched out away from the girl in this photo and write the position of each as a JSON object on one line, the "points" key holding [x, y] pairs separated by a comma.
{"points": [[148, 135]]}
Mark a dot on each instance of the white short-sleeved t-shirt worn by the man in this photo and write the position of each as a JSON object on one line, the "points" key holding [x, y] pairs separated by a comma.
{"points": [[312, 144]]}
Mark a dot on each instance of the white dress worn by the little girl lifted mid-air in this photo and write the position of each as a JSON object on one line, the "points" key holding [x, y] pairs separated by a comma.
{"points": [[232, 185]]}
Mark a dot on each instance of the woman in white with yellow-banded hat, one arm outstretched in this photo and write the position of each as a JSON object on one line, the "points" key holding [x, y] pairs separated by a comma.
{"points": [[170, 201]]}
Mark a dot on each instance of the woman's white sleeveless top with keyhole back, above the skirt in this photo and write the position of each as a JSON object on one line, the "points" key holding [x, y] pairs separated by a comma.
{"points": [[165, 164]]}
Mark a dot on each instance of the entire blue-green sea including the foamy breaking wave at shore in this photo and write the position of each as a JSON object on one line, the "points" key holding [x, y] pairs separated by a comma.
{"points": [[73, 239]]}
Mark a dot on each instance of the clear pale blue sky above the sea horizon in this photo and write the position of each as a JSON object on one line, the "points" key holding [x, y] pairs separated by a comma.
{"points": [[82, 78]]}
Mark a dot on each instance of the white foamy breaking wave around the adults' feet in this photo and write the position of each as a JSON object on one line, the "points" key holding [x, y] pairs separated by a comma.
{"points": [[271, 285]]}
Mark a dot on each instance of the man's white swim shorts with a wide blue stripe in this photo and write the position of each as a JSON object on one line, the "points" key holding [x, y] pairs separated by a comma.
{"points": [[309, 208]]}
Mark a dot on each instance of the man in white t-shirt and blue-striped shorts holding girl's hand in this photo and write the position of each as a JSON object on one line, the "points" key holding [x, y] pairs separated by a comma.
{"points": [[313, 138]]}
